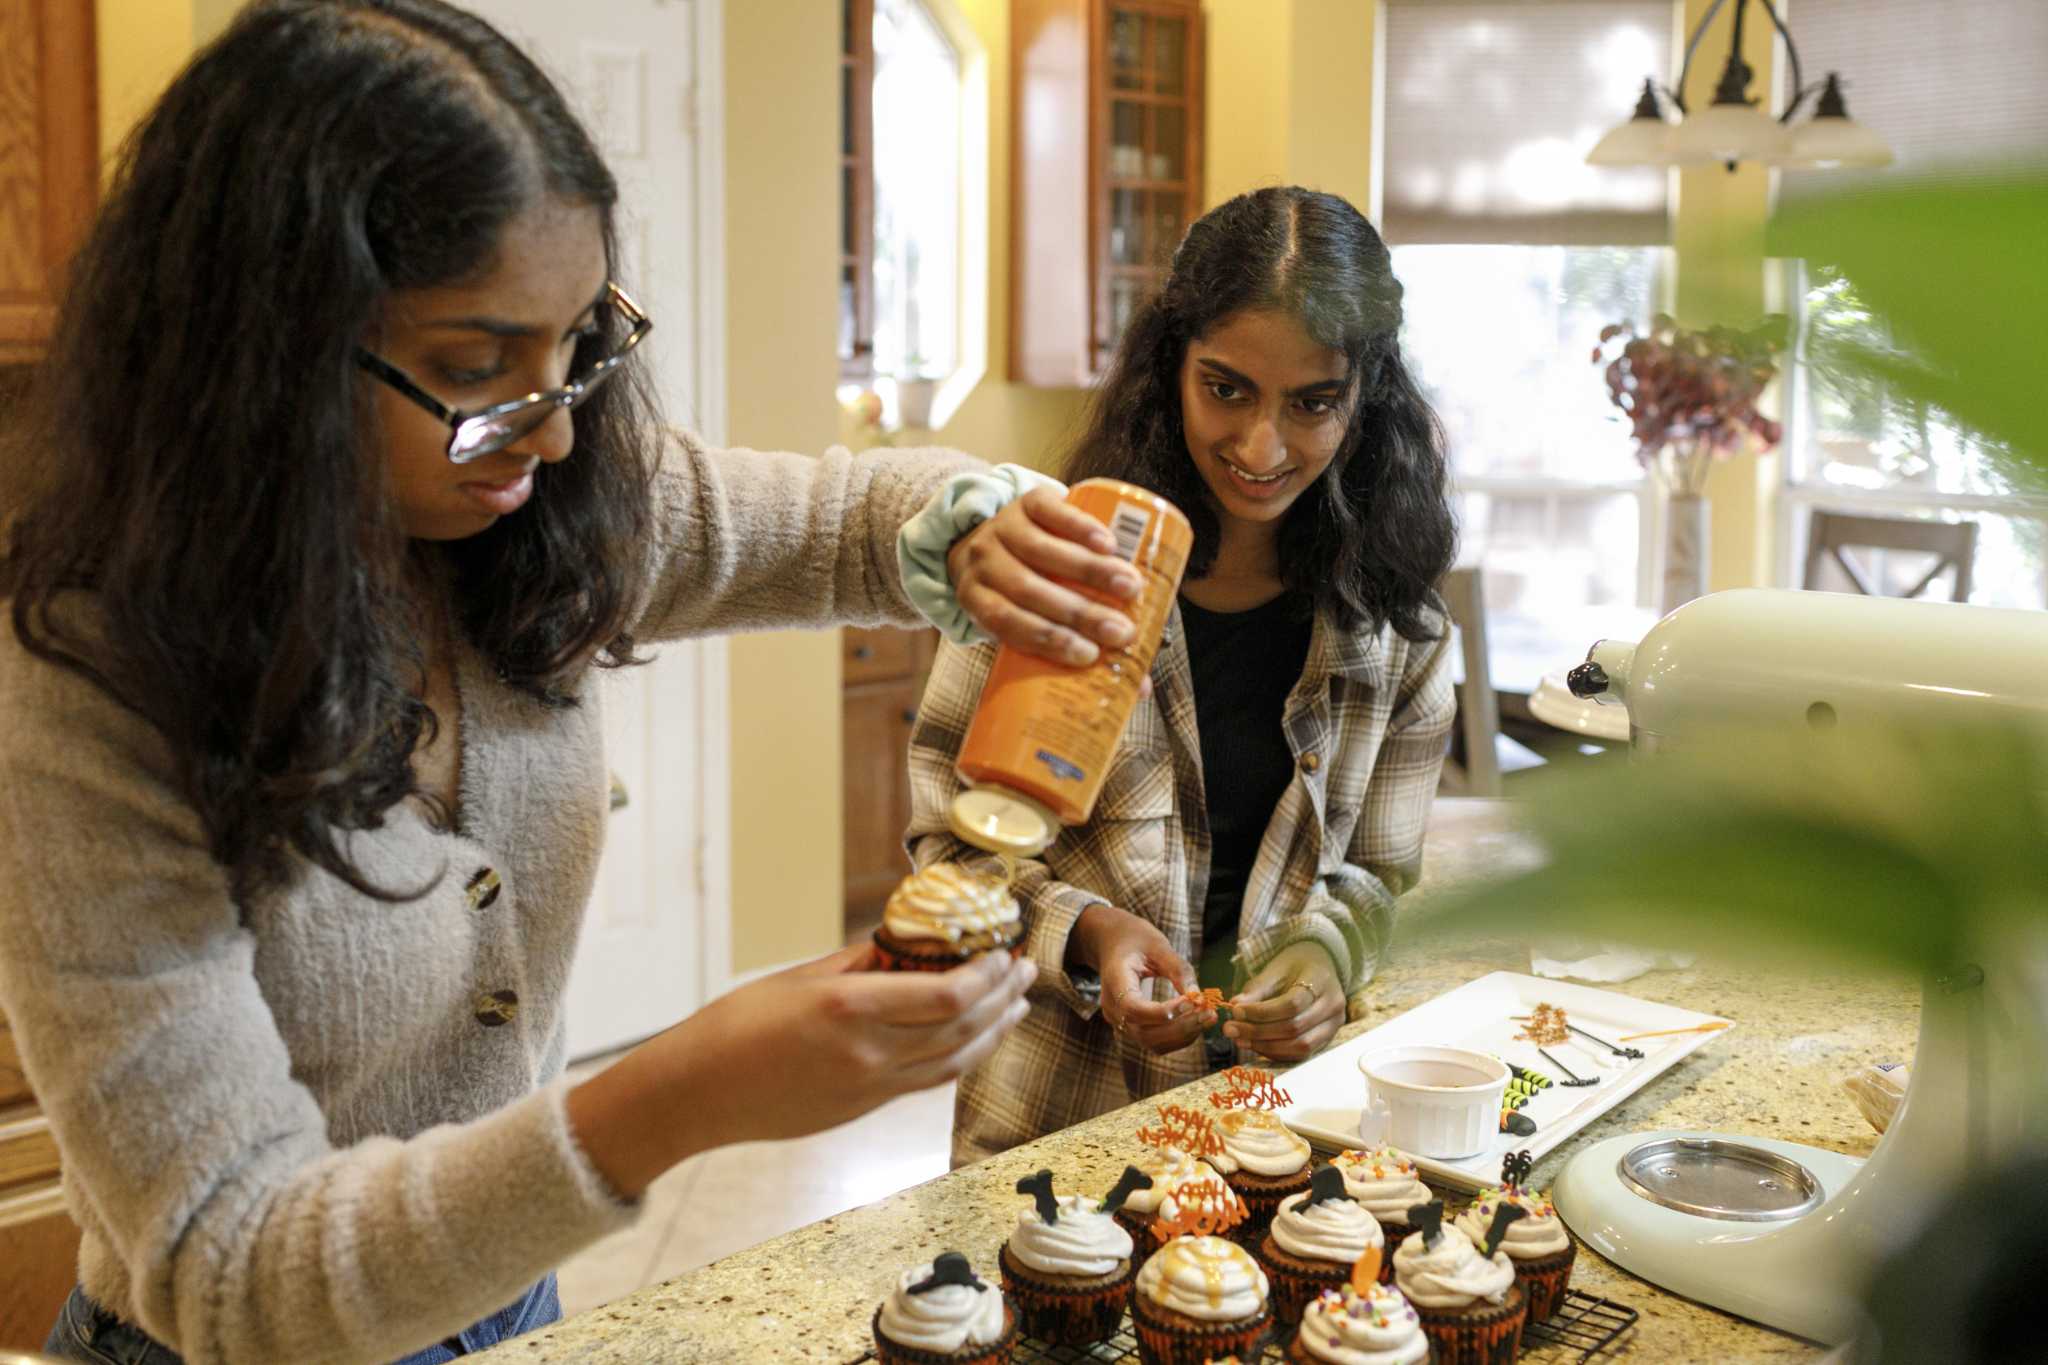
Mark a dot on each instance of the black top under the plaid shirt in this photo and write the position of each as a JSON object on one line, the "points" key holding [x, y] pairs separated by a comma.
{"points": [[1244, 666]]}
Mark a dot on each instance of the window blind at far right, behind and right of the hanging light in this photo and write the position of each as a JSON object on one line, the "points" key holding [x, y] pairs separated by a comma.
{"points": [[1953, 87]]}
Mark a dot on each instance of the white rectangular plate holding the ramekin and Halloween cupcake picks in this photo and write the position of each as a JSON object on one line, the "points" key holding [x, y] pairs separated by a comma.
{"points": [[1480, 1016]]}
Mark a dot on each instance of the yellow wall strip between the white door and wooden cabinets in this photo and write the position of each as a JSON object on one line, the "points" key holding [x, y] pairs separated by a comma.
{"points": [[781, 275]]}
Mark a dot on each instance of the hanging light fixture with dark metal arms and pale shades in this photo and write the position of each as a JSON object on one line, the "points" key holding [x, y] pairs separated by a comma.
{"points": [[1736, 128]]}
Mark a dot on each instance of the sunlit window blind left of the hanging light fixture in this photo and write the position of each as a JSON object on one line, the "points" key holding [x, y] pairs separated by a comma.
{"points": [[1492, 107]]}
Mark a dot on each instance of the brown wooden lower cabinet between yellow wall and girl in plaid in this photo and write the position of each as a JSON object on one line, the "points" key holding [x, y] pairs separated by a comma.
{"points": [[884, 680]]}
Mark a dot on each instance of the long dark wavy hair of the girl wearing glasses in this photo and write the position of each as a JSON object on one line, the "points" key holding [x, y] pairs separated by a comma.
{"points": [[204, 464]]}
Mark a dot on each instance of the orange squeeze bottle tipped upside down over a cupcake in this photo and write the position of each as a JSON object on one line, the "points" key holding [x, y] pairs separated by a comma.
{"points": [[1043, 732]]}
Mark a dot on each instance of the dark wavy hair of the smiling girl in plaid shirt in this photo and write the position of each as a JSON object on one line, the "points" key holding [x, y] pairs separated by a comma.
{"points": [[1375, 535]]}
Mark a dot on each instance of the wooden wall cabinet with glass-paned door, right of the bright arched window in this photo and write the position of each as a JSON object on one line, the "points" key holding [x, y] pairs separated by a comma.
{"points": [[1107, 173]]}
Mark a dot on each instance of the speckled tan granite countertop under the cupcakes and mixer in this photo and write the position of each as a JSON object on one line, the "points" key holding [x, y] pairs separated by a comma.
{"points": [[810, 1294]]}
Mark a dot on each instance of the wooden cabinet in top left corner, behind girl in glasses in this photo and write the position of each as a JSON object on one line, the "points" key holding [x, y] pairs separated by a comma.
{"points": [[50, 163]]}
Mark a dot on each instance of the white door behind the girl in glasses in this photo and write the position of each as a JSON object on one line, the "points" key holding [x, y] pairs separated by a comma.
{"points": [[644, 79]]}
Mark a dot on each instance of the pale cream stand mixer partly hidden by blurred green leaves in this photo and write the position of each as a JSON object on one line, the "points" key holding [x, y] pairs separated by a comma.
{"points": [[1777, 1231]]}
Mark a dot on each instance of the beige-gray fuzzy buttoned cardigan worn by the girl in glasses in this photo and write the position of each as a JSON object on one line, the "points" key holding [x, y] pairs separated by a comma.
{"points": [[288, 1129]]}
